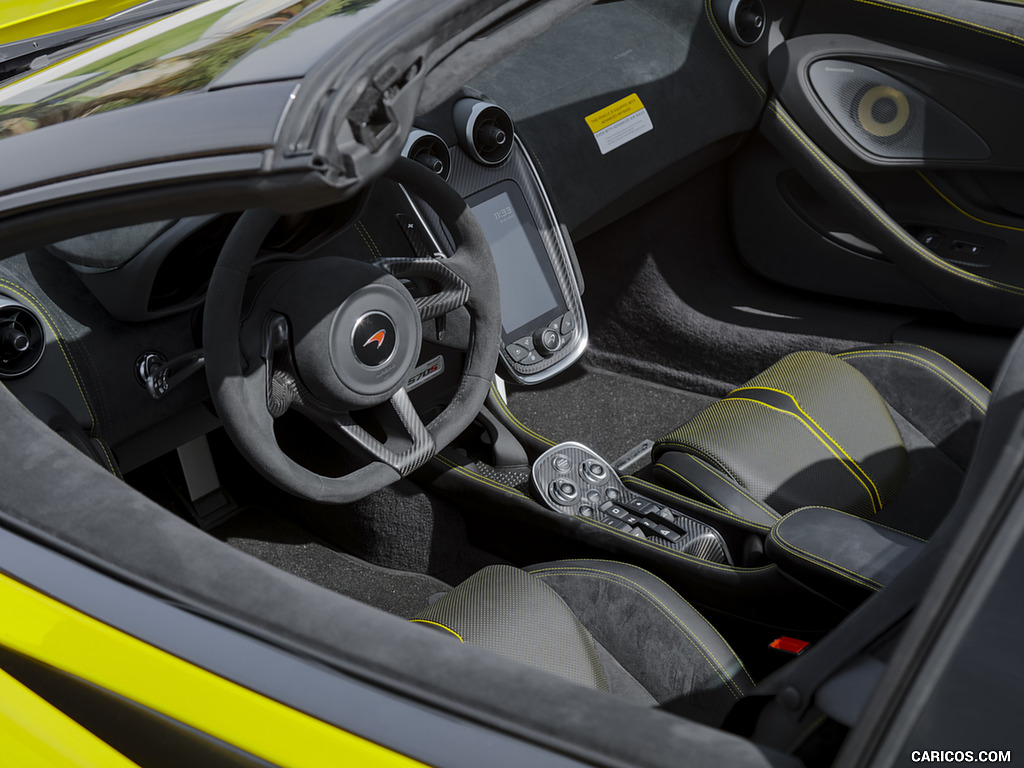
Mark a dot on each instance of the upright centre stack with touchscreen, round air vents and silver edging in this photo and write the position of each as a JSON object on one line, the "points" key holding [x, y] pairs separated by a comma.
{"points": [[473, 145]]}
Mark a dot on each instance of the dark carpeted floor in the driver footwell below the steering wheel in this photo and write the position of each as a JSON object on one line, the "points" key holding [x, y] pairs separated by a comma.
{"points": [[281, 543]]}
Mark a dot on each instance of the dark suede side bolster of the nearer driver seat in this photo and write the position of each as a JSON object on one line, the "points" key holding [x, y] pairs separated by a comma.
{"points": [[654, 633]]}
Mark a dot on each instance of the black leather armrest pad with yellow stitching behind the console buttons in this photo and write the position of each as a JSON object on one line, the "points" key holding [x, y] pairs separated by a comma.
{"points": [[839, 554]]}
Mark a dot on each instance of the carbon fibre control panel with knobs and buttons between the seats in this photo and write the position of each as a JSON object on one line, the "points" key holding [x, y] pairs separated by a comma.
{"points": [[574, 481]]}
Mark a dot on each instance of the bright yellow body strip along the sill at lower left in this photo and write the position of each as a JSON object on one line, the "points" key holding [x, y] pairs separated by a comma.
{"points": [[44, 629]]}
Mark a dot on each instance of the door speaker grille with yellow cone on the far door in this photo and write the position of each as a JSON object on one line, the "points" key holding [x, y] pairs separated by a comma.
{"points": [[889, 118]]}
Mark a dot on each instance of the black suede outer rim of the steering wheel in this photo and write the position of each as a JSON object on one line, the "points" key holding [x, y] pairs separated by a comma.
{"points": [[239, 385]]}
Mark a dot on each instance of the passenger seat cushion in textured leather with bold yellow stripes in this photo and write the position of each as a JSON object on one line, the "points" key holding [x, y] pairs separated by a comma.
{"points": [[809, 431]]}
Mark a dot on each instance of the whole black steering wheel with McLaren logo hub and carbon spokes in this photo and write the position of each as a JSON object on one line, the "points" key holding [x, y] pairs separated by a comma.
{"points": [[332, 336]]}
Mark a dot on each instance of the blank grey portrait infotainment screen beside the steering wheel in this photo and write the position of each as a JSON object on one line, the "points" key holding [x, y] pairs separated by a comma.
{"points": [[530, 292]]}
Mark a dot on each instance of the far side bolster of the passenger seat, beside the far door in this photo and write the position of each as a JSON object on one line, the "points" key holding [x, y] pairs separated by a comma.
{"points": [[936, 396]]}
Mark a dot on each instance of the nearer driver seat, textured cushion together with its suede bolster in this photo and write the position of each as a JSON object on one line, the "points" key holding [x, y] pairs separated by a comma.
{"points": [[606, 625]]}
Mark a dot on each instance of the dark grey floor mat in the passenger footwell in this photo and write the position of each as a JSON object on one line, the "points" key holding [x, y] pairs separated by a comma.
{"points": [[608, 412]]}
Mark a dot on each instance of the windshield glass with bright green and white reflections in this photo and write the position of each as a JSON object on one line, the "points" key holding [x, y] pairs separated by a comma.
{"points": [[181, 54]]}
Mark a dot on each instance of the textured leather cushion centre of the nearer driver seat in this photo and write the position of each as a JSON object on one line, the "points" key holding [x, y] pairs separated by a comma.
{"points": [[504, 610]]}
